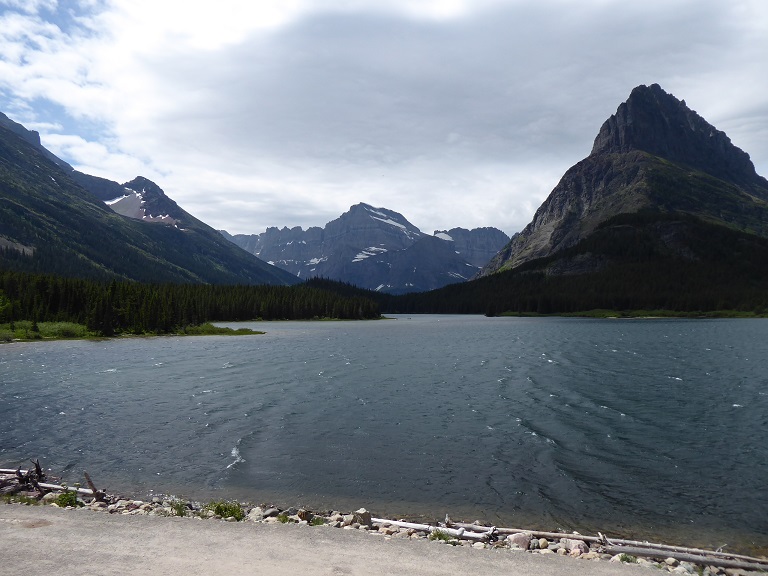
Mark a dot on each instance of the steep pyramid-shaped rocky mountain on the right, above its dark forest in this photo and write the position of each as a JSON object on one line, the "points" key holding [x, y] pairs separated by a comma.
{"points": [[654, 156]]}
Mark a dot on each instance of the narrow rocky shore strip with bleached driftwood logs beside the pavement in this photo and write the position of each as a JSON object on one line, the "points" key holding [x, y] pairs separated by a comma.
{"points": [[671, 559]]}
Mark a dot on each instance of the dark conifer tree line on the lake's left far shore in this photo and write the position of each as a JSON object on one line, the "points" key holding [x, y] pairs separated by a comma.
{"points": [[115, 307]]}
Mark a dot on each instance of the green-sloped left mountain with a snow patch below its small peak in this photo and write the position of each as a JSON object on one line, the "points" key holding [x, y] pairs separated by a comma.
{"points": [[50, 222]]}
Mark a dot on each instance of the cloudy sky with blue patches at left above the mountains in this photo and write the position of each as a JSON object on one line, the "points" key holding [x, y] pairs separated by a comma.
{"points": [[256, 113]]}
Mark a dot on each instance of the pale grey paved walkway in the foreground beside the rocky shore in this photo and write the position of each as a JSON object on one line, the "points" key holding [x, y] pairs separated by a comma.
{"points": [[46, 540]]}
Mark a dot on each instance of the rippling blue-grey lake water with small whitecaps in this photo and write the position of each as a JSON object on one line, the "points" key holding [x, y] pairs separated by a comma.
{"points": [[643, 428]]}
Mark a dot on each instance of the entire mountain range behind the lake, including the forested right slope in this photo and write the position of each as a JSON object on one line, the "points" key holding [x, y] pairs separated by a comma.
{"points": [[664, 214]]}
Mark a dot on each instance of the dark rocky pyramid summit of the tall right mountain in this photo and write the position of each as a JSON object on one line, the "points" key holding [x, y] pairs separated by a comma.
{"points": [[654, 121]]}
